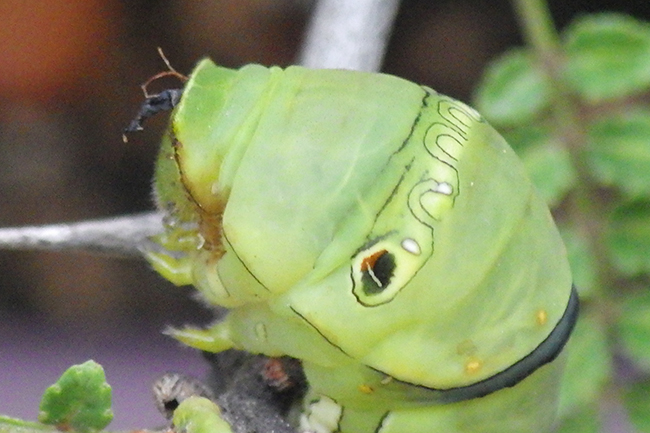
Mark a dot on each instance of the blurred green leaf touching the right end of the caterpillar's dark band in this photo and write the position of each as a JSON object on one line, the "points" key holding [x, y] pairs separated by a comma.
{"points": [[588, 368]]}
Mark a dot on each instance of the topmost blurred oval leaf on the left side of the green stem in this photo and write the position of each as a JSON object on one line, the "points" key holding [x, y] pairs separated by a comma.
{"points": [[513, 91]]}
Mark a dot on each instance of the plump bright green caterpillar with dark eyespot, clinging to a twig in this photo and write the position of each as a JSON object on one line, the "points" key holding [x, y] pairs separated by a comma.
{"points": [[383, 234]]}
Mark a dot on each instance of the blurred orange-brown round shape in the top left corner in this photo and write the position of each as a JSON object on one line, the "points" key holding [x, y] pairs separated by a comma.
{"points": [[52, 47]]}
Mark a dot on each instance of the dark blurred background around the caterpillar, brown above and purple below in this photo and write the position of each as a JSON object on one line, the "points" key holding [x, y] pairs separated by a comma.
{"points": [[70, 72]]}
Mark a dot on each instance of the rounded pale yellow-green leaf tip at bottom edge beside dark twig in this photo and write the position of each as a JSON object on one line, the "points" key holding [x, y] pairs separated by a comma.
{"points": [[199, 415]]}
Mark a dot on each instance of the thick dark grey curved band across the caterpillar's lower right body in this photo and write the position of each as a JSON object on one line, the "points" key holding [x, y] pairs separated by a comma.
{"points": [[545, 352]]}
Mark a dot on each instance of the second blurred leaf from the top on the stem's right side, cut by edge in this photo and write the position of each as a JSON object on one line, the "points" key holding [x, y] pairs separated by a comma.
{"points": [[619, 152]]}
